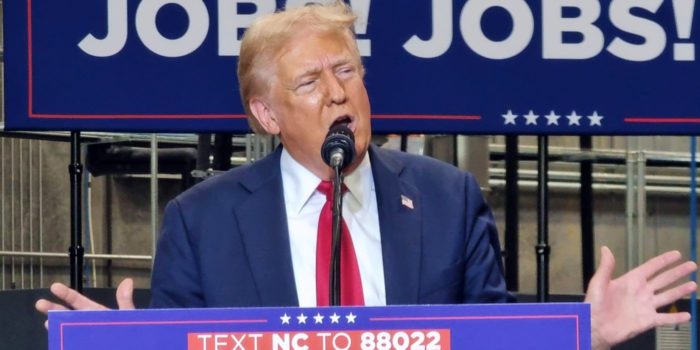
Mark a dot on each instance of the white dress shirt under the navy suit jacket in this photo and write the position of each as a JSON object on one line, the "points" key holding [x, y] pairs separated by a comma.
{"points": [[303, 205]]}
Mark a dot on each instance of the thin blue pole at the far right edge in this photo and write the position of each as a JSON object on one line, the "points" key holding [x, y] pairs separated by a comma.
{"points": [[693, 241]]}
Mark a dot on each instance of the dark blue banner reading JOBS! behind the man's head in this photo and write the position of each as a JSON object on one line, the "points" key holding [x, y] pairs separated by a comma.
{"points": [[434, 66]]}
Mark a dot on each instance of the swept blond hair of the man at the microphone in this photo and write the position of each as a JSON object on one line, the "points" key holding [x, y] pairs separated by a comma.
{"points": [[266, 37]]}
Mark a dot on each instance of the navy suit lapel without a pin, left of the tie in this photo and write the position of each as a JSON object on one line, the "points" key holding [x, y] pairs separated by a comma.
{"points": [[263, 227]]}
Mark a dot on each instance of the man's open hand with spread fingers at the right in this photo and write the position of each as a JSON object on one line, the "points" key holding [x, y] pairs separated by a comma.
{"points": [[625, 307]]}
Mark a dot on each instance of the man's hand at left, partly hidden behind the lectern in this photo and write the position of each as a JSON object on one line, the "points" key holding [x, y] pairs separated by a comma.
{"points": [[76, 301]]}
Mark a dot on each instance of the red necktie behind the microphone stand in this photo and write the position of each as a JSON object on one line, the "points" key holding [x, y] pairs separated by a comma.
{"points": [[350, 282]]}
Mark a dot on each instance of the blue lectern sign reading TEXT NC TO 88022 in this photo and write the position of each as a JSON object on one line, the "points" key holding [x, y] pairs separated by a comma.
{"points": [[438, 327]]}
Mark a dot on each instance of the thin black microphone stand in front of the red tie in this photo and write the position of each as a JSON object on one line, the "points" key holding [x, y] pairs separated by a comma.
{"points": [[334, 288]]}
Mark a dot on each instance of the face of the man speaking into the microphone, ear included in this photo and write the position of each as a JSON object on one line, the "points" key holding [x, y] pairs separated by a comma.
{"points": [[317, 82]]}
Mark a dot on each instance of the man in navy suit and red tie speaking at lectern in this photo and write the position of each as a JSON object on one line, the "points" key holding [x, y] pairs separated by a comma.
{"points": [[420, 229]]}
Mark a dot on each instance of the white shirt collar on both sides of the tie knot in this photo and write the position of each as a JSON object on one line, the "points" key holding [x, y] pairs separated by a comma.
{"points": [[299, 183]]}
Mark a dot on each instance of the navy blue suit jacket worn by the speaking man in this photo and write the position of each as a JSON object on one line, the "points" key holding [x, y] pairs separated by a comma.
{"points": [[225, 243]]}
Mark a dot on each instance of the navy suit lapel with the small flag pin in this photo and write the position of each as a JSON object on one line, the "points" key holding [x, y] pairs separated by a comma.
{"points": [[400, 227]]}
